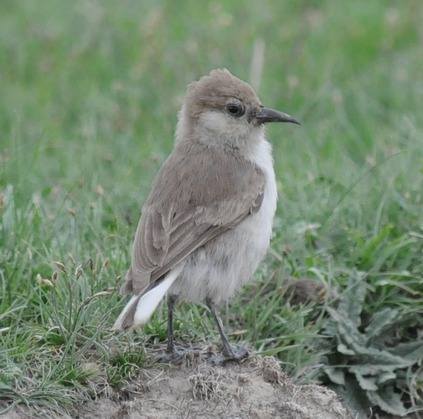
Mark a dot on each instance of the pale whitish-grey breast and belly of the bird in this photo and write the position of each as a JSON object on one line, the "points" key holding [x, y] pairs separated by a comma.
{"points": [[223, 265]]}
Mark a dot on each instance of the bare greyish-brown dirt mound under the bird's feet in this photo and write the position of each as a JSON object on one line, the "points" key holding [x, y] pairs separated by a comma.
{"points": [[256, 388]]}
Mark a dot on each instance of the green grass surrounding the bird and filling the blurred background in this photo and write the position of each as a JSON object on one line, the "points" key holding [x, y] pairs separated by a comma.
{"points": [[89, 93]]}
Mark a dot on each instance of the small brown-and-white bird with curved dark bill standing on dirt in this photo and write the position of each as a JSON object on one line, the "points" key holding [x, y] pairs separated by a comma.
{"points": [[207, 222]]}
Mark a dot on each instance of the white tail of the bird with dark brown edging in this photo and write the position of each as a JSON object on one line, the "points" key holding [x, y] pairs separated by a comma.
{"points": [[140, 307]]}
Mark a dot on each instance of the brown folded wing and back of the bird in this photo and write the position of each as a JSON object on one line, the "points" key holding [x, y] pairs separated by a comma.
{"points": [[198, 195]]}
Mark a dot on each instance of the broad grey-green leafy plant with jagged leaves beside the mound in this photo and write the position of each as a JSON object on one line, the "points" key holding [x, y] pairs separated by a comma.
{"points": [[372, 357]]}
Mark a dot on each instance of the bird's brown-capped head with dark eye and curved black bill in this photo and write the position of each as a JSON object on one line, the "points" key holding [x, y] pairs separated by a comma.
{"points": [[222, 108]]}
